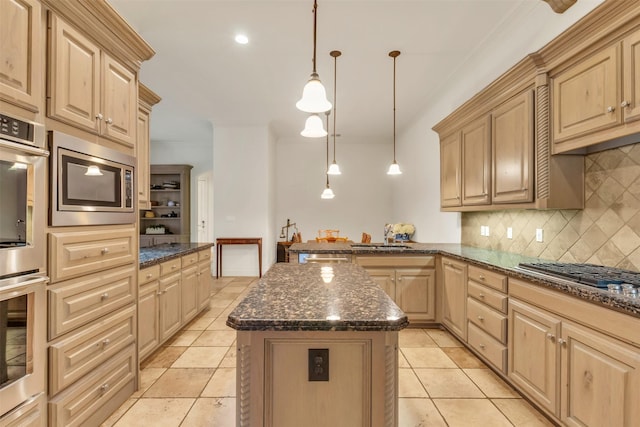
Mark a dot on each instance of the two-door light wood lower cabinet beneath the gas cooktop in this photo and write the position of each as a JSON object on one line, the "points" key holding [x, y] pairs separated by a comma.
{"points": [[579, 375]]}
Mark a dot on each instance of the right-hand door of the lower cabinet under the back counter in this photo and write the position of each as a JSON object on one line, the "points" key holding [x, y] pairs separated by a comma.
{"points": [[415, 293]]}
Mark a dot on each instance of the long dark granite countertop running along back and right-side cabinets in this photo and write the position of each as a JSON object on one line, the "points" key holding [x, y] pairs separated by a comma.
{"points": [[503, 262]]}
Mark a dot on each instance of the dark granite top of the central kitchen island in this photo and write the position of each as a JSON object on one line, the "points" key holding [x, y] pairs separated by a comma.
{"points": [[316, 297]]}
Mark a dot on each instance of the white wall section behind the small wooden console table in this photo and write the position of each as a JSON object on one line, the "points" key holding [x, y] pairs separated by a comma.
{"points": [[242, 199]]}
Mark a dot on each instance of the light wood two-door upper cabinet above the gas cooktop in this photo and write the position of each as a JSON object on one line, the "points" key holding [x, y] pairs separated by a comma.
{"points": [[598, 99]]}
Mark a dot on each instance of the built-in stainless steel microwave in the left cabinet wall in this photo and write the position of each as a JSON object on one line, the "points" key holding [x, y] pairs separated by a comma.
{"points": [[90, 184]]}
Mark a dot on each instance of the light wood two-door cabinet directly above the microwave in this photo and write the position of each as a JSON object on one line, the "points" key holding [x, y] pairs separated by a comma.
{"points": [[88, 88]]}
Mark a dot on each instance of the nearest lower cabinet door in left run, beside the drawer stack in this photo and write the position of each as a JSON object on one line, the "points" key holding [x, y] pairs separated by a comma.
{"points": [[148, 317]]}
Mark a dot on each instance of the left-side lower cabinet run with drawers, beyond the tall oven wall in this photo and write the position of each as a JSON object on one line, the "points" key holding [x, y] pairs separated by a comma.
{"points": [[170, 295]]}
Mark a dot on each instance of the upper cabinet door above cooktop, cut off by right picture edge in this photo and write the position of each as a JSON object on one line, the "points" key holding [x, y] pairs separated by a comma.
{"points": [[631, 79]]}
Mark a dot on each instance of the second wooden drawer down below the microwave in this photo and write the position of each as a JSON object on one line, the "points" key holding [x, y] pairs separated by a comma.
{"points": [[75, 302]]}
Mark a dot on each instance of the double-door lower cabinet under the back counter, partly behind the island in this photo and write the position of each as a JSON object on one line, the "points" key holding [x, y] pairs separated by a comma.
{"points": [[408, 280]]}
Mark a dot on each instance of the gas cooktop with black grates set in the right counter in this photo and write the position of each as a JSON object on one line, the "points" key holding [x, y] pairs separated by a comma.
{"points": [[587, 274]]}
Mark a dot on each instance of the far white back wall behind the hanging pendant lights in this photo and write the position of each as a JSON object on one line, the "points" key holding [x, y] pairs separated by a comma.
{"points": [[363, 191]]}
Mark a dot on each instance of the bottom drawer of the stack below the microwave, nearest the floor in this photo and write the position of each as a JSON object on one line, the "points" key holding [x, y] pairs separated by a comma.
{"points": [[77, 405]]}
